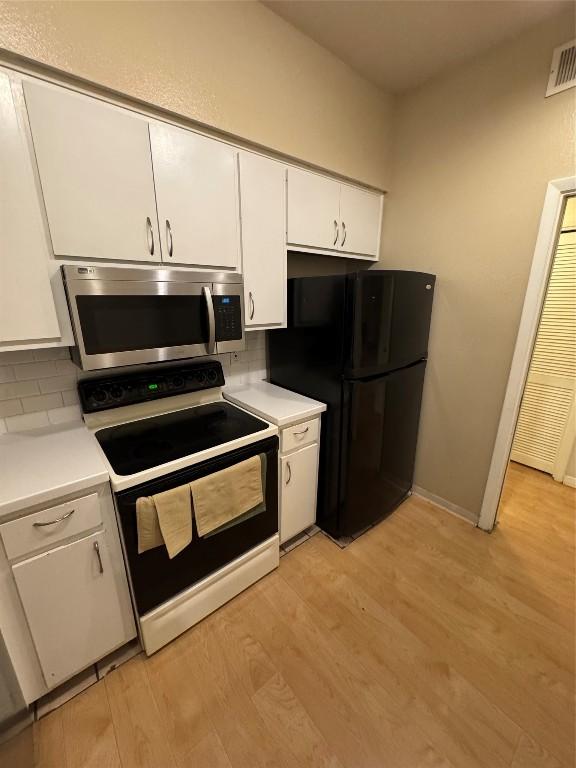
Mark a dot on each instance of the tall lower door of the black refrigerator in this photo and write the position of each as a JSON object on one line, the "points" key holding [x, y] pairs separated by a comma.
{"points": [[380, 429]]}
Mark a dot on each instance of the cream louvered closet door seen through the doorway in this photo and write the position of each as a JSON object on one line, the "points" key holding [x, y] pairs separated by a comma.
{"points": [[546, 425]]}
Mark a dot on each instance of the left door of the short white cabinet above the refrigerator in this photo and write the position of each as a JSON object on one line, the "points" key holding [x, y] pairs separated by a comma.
{"points": [[313, 210]]}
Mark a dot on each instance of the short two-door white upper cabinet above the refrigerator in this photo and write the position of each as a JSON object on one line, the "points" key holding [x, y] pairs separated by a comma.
{"points": [[327, 215]]}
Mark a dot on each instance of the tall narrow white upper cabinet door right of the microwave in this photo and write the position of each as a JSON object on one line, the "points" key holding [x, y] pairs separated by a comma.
{"points": [[263, 216]]}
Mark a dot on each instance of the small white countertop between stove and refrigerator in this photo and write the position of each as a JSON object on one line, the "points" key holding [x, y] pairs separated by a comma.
{"points": [[275, 404]]}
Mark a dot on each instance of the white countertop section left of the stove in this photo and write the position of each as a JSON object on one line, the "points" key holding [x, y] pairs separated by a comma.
{"points": [[42, 465]]}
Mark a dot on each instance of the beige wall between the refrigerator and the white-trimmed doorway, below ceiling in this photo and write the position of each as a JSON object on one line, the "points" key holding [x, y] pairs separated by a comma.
{"points": [[473, 152]]}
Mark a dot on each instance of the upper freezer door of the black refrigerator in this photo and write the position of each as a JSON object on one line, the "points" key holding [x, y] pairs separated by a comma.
{"points": [[390, 320]]}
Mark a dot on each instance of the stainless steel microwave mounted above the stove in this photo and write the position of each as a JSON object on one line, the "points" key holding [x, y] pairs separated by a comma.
{"points": [[125, 316]]}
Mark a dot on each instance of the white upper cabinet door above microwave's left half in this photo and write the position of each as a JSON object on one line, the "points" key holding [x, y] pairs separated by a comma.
{"points": [[96, 173]]}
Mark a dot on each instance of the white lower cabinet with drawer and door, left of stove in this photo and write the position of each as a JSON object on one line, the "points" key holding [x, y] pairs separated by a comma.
{"points": [[64, 596]]}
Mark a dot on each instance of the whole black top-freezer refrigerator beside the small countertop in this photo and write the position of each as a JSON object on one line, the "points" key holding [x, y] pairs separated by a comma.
{"points": [[359, 343]]}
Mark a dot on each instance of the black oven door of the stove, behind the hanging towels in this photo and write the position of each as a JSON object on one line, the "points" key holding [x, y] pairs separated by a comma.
{"points": [[154, 577]]}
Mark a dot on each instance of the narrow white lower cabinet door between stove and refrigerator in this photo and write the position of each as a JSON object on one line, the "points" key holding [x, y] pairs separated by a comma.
{"points": [[299, 478]]}
